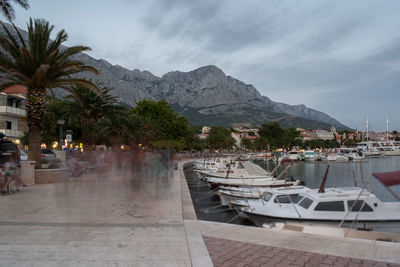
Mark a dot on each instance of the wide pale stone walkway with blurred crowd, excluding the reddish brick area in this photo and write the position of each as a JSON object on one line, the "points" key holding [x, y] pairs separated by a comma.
{"points": [[120, 218]]}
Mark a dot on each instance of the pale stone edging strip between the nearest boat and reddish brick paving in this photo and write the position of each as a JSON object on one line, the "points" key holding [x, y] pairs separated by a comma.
{"points": [[307, 243]]}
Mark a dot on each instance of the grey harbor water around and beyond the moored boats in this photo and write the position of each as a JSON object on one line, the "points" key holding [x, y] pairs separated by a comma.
{"points": [[341, 174]]}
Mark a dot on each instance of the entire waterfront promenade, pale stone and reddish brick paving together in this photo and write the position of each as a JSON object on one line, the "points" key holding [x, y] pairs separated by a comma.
{"points": [[145, 217]]}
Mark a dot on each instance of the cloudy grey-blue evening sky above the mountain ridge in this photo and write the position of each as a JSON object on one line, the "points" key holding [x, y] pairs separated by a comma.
{"points": [[339, 57]]}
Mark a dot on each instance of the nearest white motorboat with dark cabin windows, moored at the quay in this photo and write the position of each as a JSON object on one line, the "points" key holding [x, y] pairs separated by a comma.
{"points": [[332, 206]]}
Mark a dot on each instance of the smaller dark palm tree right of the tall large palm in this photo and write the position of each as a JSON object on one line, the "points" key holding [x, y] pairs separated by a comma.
{"points": [[88, 107]]}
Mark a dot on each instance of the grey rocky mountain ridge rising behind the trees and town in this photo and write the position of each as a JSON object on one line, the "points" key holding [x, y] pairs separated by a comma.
{"points": [[207, 96]]}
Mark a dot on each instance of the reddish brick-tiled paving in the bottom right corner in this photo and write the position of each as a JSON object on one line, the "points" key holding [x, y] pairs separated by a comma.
{"points": [[231, 253]]}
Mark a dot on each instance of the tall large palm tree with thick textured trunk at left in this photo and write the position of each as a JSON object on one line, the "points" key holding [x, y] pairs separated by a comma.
{"points": [[40, 64]]}
